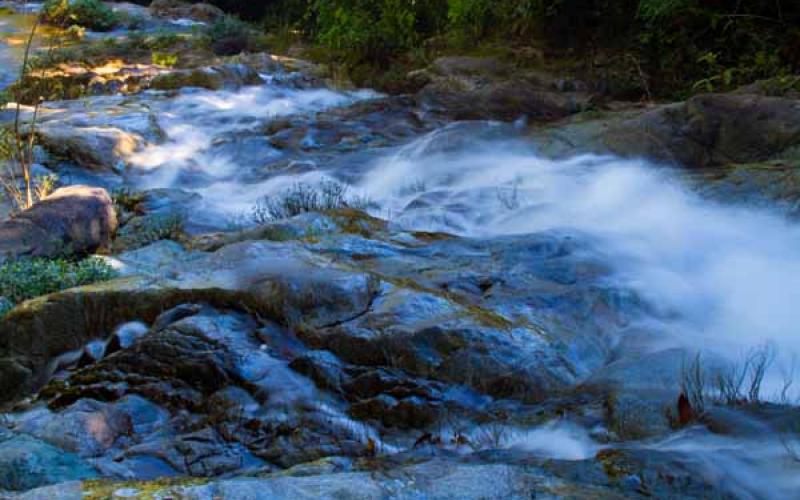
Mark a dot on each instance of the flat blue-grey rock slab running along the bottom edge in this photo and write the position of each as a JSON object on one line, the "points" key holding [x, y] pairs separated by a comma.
{"points": [[485, 476]]}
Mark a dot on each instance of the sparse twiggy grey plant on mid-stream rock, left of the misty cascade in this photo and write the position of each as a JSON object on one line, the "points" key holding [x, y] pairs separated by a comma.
{"points": [[302, 198]]}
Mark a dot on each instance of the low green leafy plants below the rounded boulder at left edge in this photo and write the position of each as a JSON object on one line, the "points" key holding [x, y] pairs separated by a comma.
{"points": [[24, 279]]}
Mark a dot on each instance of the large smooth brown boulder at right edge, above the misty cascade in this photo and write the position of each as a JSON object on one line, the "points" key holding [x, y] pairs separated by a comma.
{"points": [[707, 130]]}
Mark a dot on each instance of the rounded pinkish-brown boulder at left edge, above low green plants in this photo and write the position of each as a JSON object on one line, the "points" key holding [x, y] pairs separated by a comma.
{"points": [[75, 219]]}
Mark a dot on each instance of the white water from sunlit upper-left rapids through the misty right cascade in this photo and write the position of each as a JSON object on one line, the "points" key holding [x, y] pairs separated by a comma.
{"points": [[720, 277]]}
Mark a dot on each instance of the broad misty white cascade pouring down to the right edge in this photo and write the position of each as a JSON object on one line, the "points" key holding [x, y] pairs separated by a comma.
{"points": [[722, 278]]}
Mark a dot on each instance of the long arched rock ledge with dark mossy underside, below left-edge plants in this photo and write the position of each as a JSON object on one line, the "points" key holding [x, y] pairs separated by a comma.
{"points": [[281, 280]]}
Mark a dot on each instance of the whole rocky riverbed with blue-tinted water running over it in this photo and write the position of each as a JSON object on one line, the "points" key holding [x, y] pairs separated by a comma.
{"points": [[506, 301]]}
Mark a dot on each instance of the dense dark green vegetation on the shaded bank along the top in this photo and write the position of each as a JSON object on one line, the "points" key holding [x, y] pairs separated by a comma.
{"points": [[636, 46]]}
